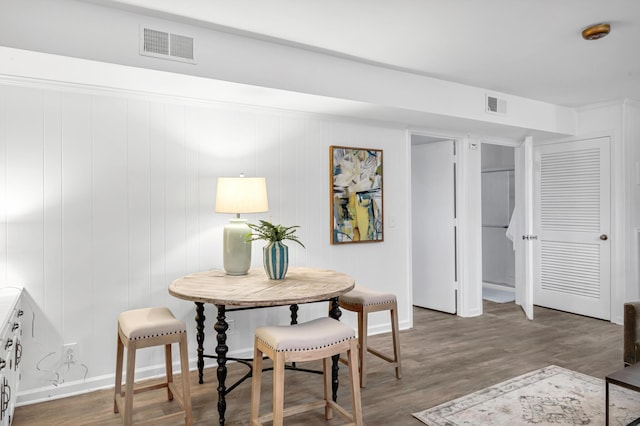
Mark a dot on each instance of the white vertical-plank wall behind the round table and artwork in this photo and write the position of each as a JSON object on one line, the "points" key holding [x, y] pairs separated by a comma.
{"points": [[106, 197]]}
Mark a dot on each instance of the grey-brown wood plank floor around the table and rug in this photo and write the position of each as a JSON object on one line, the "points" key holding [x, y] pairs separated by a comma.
{"points": [[443, 357]]}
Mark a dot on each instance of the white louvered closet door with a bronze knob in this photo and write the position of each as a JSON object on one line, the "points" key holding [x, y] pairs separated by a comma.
{"points": [[572, 222]]}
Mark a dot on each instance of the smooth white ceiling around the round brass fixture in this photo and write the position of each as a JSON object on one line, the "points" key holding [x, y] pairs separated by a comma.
{"points": [[529, 48]]}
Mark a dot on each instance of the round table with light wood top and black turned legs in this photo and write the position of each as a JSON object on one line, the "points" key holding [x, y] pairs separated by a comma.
{"points": [[255, 290]]}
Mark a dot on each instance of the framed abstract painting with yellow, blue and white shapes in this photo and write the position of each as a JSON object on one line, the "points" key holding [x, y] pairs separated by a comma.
{"points": [[356, 195]]}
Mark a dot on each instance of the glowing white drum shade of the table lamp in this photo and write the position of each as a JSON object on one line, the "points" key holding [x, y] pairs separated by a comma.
{"points": [[241, 195]]}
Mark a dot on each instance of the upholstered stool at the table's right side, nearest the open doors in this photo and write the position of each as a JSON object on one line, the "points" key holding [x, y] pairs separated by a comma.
{"points": [[365, 301]]}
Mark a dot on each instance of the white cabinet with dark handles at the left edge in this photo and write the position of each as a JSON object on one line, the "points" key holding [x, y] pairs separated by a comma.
{"points": [[10, 351]]}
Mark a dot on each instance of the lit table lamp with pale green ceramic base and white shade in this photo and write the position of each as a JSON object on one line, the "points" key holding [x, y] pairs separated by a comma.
{"points": [[239, 195]]}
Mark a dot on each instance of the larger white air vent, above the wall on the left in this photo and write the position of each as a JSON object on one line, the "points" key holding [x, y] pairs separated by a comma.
{"points": [[165, 45]]}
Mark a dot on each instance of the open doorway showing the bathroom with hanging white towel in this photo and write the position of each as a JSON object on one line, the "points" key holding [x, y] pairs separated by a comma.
{"points": [[498, 202]]}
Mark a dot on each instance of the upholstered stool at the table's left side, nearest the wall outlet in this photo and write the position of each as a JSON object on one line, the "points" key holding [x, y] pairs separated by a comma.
{"points": [[143, 328]]}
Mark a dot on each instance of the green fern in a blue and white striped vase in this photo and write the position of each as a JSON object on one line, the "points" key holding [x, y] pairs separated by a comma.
{"points": [[275, 253]]}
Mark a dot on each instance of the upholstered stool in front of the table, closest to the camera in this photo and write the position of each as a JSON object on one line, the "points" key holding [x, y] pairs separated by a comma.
{"points": [[313, 340]]}
